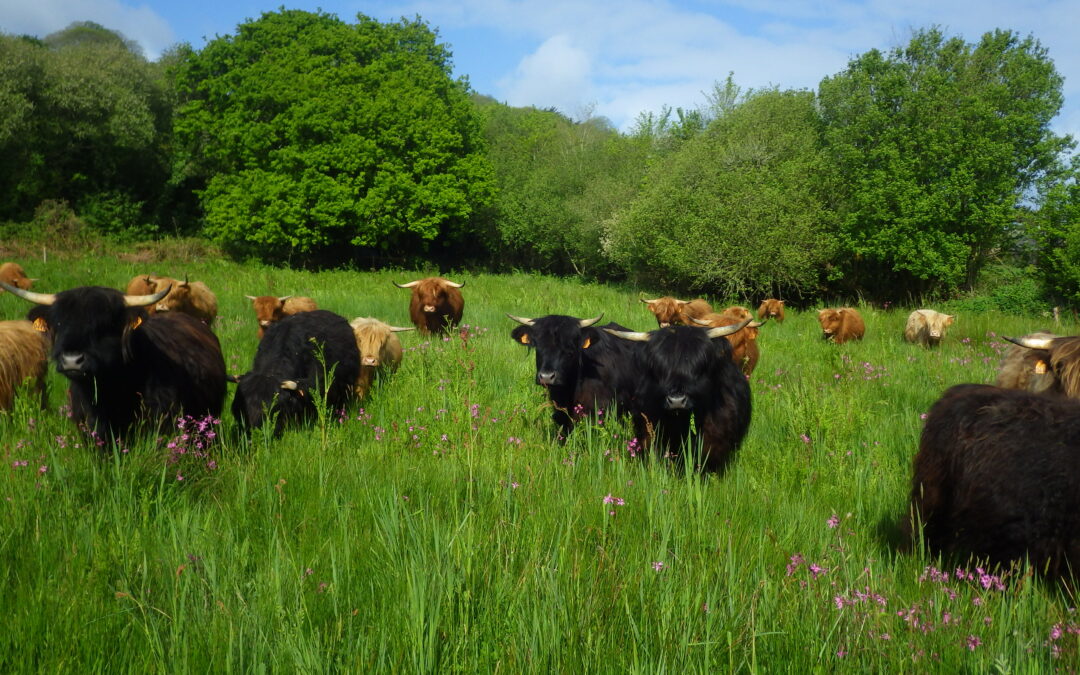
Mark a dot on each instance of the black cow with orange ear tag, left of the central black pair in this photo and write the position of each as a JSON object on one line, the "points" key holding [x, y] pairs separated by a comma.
{"points": [[584, 369]]}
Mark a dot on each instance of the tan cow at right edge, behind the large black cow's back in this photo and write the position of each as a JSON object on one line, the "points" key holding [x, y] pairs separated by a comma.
{"points": [[1043, 363]]}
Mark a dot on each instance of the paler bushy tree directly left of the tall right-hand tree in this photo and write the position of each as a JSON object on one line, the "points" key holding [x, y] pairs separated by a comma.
{"points": [[739, 210]]}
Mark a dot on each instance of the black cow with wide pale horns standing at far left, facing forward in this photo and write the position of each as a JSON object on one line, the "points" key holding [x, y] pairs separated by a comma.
{"points": [[125, 367]]}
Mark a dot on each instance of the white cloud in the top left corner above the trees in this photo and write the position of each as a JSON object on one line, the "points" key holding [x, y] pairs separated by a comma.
{"points": [[42, 18]]}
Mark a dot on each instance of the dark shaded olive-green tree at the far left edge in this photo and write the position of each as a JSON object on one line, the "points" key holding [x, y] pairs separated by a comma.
{"points": [[86, 119]]}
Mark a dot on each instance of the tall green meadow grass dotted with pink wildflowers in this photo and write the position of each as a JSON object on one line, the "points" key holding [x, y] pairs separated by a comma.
{"points": [[438, 526]]}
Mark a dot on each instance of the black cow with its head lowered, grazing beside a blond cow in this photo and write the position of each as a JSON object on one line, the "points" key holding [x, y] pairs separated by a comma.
{"points": [[291, 367]]}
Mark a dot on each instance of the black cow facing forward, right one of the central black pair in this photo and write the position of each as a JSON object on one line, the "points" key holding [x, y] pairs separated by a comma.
{"points": [[691, 394]]}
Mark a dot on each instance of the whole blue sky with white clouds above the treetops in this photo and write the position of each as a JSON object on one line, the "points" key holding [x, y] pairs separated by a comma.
{"points": [[616, 58]]}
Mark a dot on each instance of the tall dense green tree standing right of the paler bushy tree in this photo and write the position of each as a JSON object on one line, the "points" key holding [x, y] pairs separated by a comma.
{"points": [[937, 145]]}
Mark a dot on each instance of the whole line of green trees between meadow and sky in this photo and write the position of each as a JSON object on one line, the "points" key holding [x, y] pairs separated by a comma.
{"points": [[306, 140]]}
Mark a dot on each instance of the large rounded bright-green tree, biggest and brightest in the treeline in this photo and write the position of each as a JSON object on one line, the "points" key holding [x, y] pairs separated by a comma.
{"points": [[315, 137]]}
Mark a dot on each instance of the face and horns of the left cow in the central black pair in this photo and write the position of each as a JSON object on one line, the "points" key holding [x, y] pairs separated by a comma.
{"points": [[559, 343]]}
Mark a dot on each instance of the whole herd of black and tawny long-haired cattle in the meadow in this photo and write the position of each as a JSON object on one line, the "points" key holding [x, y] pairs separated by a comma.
{"points": [[997, 474]]}
